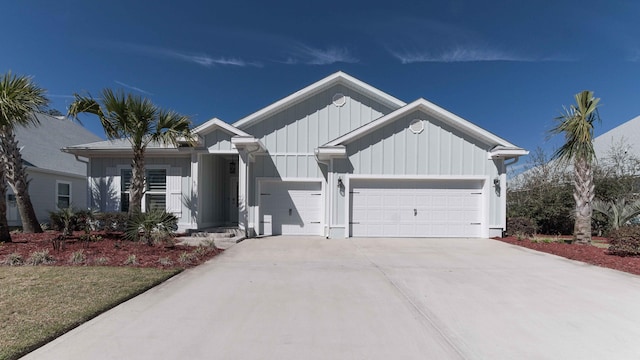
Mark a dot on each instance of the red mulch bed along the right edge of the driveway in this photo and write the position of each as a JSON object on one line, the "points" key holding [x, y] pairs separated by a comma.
{"points": [[589, 254]]}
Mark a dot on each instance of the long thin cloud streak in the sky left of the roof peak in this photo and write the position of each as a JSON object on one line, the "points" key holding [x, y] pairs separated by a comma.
{"points": [[200, 59]]}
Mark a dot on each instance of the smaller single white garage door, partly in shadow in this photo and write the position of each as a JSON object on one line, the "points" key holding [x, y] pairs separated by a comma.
{"points": [[290, 208]]}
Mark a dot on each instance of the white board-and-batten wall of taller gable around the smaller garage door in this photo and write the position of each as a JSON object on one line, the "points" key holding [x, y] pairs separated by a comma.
{"points": [[292, 135]]}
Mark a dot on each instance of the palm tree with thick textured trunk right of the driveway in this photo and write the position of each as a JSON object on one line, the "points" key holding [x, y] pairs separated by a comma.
{"points": [[576, 123]]}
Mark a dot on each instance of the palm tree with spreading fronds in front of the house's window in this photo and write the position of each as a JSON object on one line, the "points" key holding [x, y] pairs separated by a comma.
{"points": [[139, 121]]}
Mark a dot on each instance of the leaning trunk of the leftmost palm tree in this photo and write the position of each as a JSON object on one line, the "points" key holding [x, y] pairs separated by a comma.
{"points": [[16, 175]]}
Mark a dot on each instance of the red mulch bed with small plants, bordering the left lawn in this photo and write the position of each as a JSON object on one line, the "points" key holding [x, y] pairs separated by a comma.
{"points": [[111, 250]]}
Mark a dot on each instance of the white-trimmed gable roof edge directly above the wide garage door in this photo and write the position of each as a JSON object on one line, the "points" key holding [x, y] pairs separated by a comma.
{"points": [[437, 112]]}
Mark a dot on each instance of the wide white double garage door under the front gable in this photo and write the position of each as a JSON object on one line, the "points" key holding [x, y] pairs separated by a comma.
{"points": [[416, 208]]}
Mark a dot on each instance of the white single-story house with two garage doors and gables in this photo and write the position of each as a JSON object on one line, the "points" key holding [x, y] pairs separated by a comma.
{"points": [[338, 158]]}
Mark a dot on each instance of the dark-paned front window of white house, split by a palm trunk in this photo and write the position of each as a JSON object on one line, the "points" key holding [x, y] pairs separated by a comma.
{"points": [[155, 196]]}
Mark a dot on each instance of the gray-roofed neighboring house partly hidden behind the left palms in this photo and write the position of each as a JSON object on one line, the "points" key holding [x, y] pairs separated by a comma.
{"points": [[57, 179]]}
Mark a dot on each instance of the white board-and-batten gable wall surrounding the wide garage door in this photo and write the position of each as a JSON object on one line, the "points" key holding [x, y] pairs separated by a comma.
{"points": [[439, 151]]}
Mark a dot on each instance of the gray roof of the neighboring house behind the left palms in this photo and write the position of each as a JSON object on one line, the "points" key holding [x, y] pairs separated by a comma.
{"points": [[40, 145]]}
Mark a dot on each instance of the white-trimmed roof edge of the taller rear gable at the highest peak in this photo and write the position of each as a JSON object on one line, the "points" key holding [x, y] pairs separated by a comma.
{"points": [[331, 80]]}
